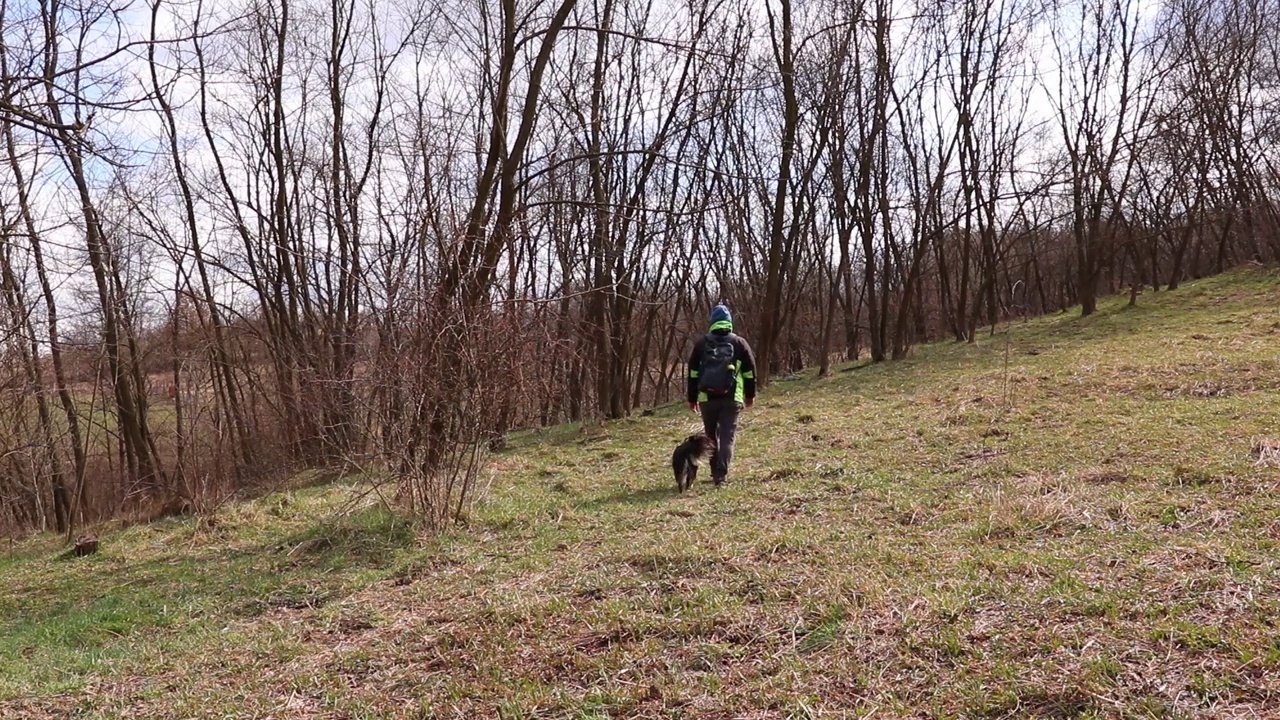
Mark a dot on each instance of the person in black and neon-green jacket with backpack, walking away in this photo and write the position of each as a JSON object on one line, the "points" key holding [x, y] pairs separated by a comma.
{"points": [[721, 381]]}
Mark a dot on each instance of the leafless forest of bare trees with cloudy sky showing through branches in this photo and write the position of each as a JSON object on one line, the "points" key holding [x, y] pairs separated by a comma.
{"points": [[243, 239]]}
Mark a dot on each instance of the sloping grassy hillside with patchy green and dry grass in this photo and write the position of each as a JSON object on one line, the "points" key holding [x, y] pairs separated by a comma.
{"points": [[1059, 522]]}
